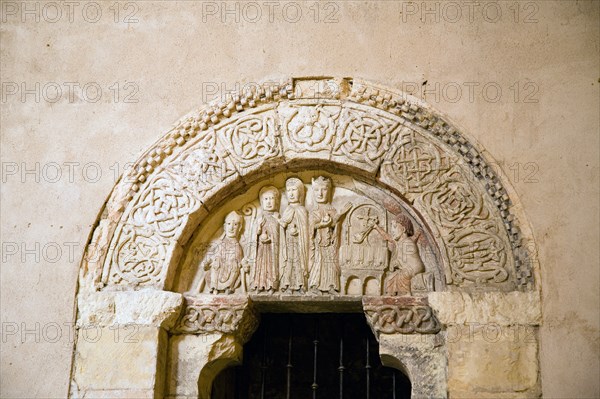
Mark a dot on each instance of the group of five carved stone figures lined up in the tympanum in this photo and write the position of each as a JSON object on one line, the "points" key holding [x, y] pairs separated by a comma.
{"points": [[299, 250]]}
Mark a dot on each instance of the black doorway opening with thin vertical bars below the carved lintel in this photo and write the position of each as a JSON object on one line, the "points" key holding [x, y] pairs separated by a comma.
{"points": [[303, 356]]}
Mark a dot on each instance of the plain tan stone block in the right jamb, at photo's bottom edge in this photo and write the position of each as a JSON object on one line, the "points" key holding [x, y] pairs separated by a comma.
{"points": [[493, 362]]}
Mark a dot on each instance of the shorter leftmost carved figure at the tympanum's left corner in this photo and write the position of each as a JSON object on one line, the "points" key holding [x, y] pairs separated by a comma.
{"points": [[225, 259]]}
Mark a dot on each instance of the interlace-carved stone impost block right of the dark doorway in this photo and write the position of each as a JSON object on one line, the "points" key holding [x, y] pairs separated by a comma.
{"points": [[400, 315]]}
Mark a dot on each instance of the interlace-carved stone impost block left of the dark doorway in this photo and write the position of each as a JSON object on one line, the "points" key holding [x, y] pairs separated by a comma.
{"points": [[233, 315]]}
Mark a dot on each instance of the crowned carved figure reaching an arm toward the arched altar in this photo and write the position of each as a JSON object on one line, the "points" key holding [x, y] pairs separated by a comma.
{"points": [[324, 273]]}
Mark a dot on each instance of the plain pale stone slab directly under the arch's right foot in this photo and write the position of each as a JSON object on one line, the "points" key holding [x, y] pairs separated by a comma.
{"points": [[487, 307]]}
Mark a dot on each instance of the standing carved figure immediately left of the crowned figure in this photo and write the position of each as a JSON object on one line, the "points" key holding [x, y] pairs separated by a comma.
{"points": [[294, 222]]}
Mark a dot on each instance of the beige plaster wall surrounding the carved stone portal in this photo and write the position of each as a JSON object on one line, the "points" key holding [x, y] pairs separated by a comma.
{"points": [[545, 134]]}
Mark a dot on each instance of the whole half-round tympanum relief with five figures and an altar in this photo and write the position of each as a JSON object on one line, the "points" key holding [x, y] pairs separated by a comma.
{"points": [[353, 252]]}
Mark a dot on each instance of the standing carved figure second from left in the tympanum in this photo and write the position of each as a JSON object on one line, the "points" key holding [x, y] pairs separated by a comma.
{"points": [[265, 275]]}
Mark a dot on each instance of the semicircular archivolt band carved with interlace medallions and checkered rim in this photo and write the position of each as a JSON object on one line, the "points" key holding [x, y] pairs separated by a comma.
{"points": [[392, 138]]}
